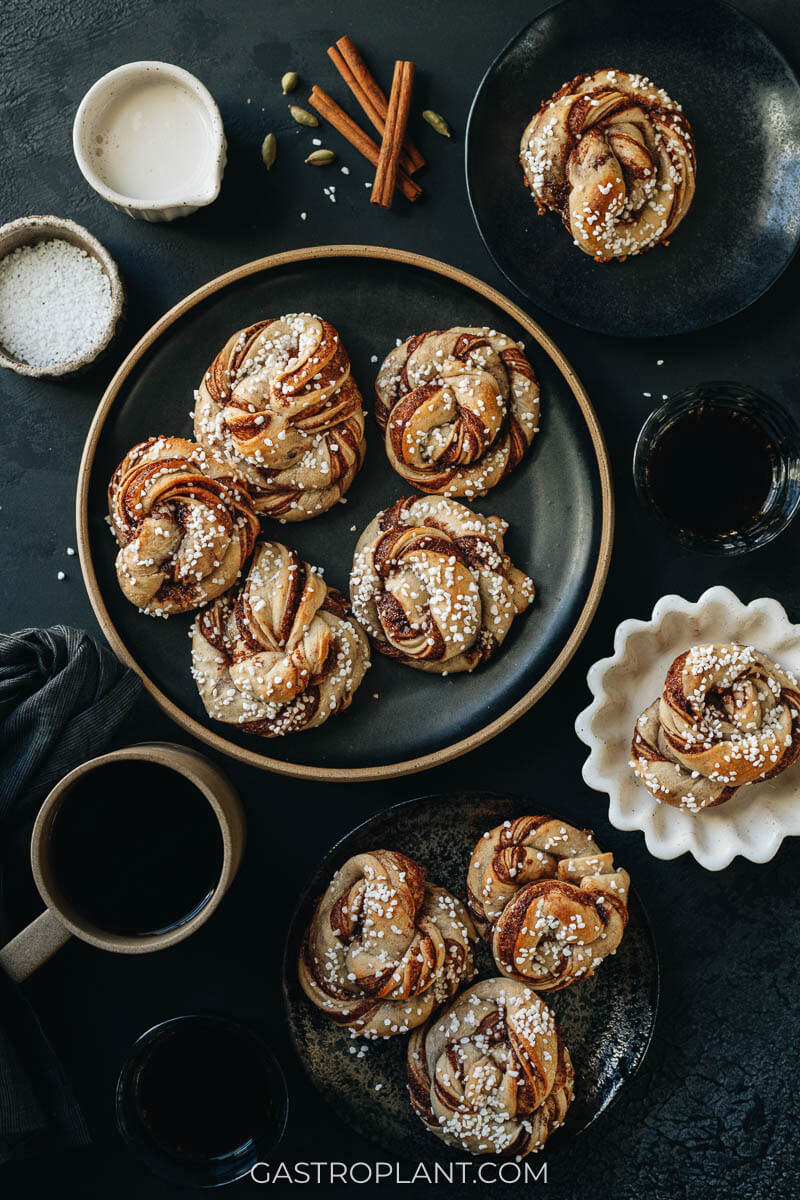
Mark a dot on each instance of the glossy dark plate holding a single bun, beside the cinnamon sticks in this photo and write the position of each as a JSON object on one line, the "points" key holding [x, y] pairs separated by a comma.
{"points": [[744, 104]]}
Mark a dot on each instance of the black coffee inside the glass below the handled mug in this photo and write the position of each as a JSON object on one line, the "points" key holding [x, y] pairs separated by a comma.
{"points": [[204, 1090]]}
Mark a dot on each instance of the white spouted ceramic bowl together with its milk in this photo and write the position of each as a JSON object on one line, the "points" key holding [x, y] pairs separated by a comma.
{"points": [[149, 139]]}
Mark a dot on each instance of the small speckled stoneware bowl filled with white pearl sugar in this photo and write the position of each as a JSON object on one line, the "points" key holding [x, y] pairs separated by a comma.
{"points": [[61, 297]]}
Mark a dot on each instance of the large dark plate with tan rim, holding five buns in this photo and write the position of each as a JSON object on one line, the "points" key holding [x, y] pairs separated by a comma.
{"points": [[558, 505]]}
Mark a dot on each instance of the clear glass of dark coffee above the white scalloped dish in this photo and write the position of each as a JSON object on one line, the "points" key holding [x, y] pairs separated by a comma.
{"points": [[720, 465]]}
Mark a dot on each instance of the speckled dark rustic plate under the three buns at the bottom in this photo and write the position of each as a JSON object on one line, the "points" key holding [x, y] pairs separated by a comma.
{"points": [[607, 1022]]}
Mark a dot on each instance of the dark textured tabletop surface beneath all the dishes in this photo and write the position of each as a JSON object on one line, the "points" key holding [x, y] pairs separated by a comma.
{"points": [[714, 1111]]}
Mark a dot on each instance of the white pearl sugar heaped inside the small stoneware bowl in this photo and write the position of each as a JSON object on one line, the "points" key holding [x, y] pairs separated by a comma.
{"points": [[56, 302]]}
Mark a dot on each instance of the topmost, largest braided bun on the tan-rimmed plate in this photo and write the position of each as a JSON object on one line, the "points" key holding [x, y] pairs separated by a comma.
{"points": [[279, 400]]}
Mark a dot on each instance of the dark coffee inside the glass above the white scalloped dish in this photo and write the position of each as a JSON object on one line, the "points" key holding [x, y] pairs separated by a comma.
{"points": [[712, 472]]}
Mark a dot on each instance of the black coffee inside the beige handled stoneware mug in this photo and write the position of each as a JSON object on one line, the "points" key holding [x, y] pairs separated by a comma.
{"points": [[136, 849]]}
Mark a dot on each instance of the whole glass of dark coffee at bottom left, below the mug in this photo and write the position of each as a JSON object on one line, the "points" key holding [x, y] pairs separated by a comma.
{"points": [[202, 1100]]}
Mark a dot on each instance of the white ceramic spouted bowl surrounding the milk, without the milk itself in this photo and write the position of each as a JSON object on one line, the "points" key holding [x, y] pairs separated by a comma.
{"points": [[85, 137]]}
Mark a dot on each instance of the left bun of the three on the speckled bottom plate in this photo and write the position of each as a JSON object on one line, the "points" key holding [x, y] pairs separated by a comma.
{"points": [[386, 949]]}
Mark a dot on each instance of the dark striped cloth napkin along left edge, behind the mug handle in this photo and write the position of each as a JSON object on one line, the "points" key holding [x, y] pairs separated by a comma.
{"points": [[62, 699]]}
